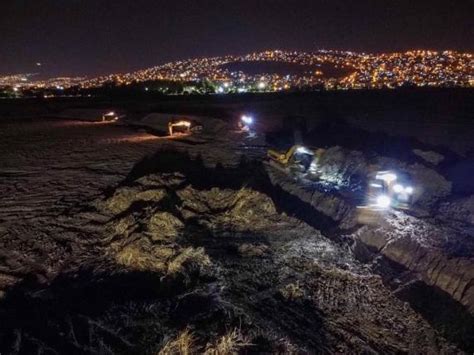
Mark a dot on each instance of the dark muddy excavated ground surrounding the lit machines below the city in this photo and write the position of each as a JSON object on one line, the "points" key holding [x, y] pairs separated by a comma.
{"points": [[113, 240]]}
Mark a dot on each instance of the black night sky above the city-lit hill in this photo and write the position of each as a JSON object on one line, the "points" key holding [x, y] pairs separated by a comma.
{"points": [[102, 36]]}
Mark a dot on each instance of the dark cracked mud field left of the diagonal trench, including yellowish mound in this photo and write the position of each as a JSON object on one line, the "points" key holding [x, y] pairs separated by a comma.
{"points": [[105, 251]]}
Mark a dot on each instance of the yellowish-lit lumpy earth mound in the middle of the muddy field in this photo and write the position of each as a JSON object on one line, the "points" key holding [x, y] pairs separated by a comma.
{"points": [[148, 236]]}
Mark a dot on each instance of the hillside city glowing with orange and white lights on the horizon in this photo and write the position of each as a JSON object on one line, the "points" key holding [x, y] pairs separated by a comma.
{"points": [[358, 71]]}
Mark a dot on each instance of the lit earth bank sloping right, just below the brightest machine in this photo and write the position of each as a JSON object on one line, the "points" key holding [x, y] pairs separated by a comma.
{"points": [[424, 248]]}
